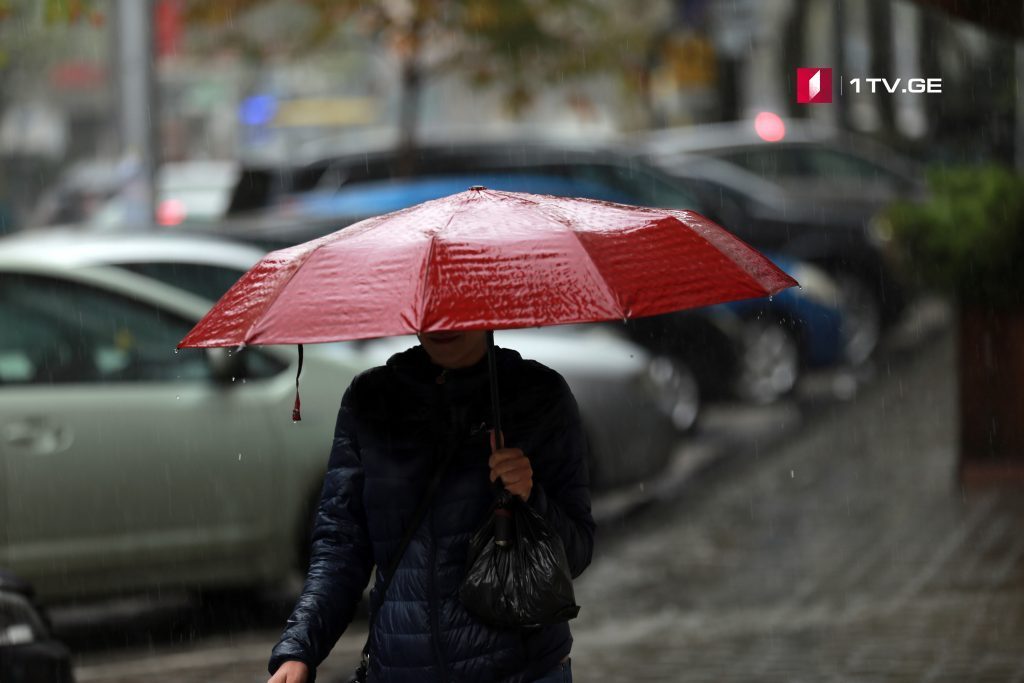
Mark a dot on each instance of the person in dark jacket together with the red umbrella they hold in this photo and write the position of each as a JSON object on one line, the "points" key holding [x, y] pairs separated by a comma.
{"points": [[411, 469]]}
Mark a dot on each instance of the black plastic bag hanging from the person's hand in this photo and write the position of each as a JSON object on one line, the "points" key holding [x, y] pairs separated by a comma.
{"points": [[518, 574]]}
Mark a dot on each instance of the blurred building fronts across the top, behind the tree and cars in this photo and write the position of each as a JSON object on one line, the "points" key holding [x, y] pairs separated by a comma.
{"points": [[250, 89]]}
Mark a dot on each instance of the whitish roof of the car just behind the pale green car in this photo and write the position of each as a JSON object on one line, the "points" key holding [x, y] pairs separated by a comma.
{"points": [[77, 248]]}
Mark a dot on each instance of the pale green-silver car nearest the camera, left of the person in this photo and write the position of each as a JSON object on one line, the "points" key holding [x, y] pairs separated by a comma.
{"points": [[132, 466]]}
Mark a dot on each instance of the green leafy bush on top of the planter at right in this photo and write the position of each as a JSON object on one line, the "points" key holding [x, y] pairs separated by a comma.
{"points": [[968, 238]]}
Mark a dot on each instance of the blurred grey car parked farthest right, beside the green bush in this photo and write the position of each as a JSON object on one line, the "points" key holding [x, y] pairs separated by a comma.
{"points": [[813, 195]]}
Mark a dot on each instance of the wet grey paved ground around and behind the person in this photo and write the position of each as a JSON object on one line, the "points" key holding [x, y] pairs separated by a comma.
{"points": [[842, 553]]}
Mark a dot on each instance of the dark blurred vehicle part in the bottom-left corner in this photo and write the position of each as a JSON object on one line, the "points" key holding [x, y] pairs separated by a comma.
{"points": [[29, 653]]}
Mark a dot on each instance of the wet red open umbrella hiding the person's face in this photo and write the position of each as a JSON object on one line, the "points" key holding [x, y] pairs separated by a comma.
{"points": [[485, 261]]}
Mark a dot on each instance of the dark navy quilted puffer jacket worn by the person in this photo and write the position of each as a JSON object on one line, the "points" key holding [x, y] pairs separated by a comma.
{"points": [[396, 423]]}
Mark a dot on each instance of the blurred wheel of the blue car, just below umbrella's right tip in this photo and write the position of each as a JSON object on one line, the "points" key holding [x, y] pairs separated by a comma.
{"points": [[769, 363]]}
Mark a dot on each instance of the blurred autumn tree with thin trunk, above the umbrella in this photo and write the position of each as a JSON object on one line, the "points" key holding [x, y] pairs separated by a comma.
{"points": [[519, 47]]}
